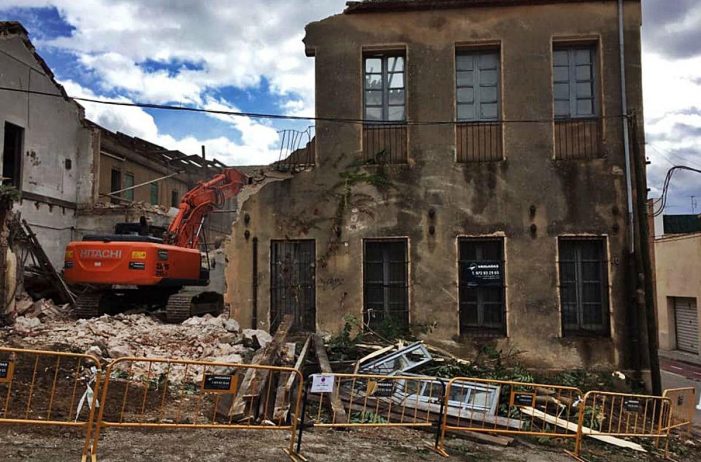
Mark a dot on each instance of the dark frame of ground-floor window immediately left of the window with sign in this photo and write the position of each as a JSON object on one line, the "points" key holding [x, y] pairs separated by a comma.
{"points": [[390, 286]]}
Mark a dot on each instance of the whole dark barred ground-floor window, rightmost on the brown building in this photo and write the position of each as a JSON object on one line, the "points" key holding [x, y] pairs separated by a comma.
{"points": [[583, 286]]}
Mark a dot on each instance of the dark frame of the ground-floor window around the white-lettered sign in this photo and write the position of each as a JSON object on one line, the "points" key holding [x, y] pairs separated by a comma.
{"points": [[481, 327]]}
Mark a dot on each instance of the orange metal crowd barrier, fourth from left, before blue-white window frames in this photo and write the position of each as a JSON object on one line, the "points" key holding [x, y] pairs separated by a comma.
{"points": [[512, 408]]}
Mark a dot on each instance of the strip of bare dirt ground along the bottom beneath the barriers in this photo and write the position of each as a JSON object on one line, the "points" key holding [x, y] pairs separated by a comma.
{"points": [[386, 445]]}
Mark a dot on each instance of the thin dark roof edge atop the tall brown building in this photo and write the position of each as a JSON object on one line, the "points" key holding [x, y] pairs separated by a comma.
{"points": [[370, 6]]}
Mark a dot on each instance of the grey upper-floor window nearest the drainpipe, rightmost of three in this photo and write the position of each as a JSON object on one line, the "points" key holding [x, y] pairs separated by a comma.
{"points": [[574, 82]]}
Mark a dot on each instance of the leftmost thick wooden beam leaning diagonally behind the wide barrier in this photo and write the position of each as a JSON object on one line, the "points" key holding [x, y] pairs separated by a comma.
{"points": [[254, 381]]}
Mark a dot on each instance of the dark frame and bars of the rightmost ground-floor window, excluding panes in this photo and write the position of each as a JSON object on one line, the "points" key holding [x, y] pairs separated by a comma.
{"points": [[572, 291]]}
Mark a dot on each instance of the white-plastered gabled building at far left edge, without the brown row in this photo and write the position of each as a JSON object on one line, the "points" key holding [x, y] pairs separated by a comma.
{"points": [[48, 151]]}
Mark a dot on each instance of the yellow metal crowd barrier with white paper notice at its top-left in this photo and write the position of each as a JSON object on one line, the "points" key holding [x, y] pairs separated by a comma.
{"points": [[372, 401]]}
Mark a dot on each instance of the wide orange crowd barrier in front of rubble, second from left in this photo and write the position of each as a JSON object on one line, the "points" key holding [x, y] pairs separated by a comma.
{"points": [[172, 393]]}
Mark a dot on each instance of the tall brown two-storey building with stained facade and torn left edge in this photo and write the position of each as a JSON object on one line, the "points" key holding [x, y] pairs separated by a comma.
{"points": [[504, 224]]}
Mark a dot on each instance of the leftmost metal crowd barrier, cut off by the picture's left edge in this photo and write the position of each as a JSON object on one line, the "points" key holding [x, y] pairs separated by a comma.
{"points": [[49, 388]]}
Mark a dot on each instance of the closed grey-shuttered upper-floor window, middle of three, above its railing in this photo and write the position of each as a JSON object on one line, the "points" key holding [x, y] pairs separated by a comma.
{"points": [[477, 85]]}
